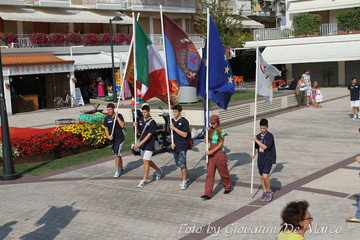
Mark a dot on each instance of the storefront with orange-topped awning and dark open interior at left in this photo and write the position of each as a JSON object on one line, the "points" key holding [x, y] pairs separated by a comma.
{"points": [[33, 81]]}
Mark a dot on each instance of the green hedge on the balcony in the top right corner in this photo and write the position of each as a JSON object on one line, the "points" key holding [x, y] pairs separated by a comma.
{"points": [[348, 20]]}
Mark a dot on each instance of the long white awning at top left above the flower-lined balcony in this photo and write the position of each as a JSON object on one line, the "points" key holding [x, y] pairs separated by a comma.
{"points": [[59, 15]]}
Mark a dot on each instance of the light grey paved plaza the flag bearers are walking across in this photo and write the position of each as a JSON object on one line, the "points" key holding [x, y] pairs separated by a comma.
{"points": [[316, 150]]}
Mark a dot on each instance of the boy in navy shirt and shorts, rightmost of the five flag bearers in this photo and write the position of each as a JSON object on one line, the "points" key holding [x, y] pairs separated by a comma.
{"points": [[265, 146]]}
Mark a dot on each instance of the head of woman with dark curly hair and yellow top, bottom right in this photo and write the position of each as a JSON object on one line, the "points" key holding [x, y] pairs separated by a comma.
{"points": [[296, 220]]}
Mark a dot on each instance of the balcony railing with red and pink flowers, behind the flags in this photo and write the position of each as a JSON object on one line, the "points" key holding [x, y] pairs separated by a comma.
{"points": [[24, 41]]}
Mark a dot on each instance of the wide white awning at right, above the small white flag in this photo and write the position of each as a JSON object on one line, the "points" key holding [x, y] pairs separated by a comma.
{"points": [[309, 53]]}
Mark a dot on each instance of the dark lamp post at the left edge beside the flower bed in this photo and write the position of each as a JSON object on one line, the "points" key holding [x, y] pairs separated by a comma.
{"points": [[8, 162]]}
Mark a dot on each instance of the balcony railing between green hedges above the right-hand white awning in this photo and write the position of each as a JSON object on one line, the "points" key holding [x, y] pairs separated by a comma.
{"points": [[277, 33]]}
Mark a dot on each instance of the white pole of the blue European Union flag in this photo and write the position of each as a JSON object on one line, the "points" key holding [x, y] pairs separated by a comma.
{"points": [[207, 81]]}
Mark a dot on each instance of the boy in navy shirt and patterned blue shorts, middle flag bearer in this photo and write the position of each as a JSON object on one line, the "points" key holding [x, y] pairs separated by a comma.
{"points": [[180, 127]]}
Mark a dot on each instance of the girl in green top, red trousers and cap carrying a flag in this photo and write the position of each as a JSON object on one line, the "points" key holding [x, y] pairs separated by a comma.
{"points": [[217, 158]]}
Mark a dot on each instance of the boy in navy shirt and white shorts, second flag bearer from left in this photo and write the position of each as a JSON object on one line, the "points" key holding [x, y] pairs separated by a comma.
{"points": [[147, 131]]}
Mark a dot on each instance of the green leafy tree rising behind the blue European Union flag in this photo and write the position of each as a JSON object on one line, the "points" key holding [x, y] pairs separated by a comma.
{"points": [[227, 23]]}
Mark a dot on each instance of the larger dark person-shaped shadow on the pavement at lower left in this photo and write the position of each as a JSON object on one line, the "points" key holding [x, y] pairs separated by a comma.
{"points": [[53, 221]]}
